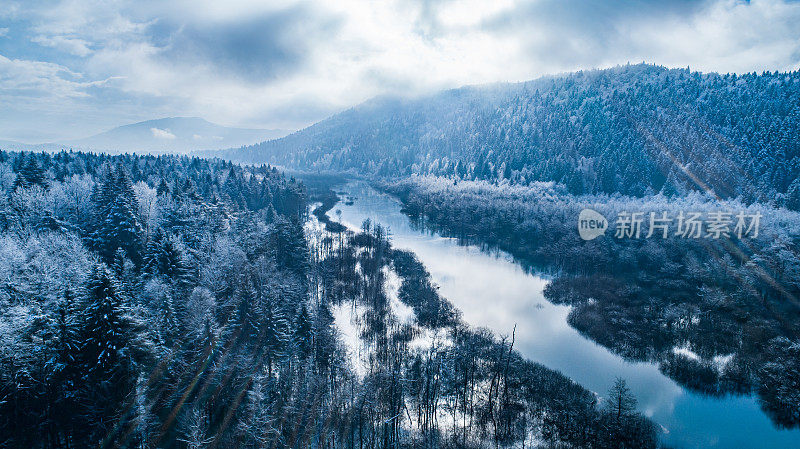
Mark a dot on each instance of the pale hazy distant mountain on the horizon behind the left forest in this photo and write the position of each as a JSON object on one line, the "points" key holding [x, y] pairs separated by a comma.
{"points": [[174, 134]]}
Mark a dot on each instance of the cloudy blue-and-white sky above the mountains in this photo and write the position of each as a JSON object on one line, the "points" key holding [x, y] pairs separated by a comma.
{"points": [[70, 68]]}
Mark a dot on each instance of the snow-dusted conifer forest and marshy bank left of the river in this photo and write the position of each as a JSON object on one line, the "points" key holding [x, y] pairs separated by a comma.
{"points": [[180, 302]]}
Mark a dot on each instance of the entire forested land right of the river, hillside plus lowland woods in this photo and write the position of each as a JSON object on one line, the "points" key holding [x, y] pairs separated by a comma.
{"points": [[510, 166]]}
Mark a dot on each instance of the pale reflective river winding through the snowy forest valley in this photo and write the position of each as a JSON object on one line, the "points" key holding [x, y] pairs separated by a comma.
{"points": [[493, 291]]}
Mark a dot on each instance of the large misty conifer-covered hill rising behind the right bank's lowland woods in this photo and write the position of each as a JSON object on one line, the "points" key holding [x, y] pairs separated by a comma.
{"points": [[632, 129]]}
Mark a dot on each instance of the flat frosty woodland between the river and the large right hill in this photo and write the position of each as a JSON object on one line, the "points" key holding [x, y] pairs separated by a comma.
{"points": [[720, 316]]}
